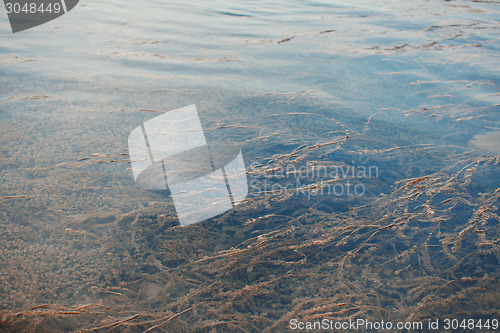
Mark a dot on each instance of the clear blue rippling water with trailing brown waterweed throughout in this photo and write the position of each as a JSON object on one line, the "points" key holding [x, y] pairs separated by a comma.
{"points": [[409, 89]]}
